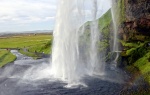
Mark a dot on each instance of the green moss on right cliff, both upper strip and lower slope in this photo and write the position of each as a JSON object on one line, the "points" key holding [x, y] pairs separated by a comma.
{"points": [[135, 50]]}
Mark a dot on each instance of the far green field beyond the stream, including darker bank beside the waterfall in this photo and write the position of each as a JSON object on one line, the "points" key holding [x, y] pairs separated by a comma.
{"points": [[39, 43]]}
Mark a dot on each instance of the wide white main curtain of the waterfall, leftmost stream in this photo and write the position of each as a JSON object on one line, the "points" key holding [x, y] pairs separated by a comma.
{"points": [[65, 53]]}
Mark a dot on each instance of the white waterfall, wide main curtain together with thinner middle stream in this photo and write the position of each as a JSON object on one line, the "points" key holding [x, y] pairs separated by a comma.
{"points": [[67, 58]]}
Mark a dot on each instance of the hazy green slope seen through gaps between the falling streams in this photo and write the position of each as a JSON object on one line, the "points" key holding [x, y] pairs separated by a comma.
{"points": [[103, 23]]}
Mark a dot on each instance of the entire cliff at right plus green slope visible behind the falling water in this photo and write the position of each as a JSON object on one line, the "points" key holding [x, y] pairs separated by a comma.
{"points": [[133, 26]]}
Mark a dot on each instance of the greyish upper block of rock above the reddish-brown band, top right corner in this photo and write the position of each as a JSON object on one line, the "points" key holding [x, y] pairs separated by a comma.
{"points": [[136, 9]]}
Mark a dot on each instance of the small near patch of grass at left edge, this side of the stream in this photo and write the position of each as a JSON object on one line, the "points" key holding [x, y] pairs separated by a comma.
{"points": [[6, 57]]}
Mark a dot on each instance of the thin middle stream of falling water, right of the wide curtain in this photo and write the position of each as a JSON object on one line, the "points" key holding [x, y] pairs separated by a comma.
{"points": [[97, 67]]}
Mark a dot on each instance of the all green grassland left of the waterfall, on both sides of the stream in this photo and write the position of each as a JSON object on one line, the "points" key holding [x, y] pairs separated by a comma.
{"points": [[39, 43]]}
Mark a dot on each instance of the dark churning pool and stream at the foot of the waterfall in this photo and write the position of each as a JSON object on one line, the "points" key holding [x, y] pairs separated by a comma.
{"points": [[27, 76]]}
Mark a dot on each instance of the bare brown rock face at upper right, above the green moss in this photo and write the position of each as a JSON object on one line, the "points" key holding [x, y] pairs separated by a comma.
{"points": [[137, 23]]}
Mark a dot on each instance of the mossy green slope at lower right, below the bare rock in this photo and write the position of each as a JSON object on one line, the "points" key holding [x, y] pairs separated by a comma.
{"points": [[139, 58]]}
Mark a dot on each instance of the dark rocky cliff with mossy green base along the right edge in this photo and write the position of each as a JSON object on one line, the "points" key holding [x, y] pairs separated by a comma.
{"points": [[134, 34]]}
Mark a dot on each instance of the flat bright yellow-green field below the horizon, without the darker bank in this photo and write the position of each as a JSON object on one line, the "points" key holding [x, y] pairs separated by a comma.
{"points": [[22, 41]]}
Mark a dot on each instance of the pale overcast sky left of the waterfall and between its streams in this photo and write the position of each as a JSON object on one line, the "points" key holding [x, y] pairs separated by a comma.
{"points": [[27, 15]]}
